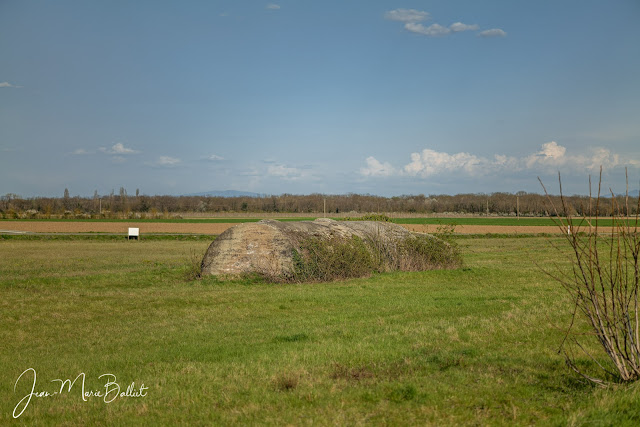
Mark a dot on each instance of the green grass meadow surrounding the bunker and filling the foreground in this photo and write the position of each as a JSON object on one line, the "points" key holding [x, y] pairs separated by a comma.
{"points": [[477, 345]]}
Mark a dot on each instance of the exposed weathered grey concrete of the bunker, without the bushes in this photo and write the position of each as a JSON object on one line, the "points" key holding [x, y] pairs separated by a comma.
{"points": [[267, 246]]}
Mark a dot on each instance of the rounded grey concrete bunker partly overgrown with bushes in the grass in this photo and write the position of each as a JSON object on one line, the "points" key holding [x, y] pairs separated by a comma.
{"points": [[278, 249]]}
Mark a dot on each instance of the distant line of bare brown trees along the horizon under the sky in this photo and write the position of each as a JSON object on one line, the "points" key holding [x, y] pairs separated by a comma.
{"points": [[124, 205]]}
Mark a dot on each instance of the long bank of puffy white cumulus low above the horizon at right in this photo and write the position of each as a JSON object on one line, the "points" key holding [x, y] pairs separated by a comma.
{"points": [[550, 158]]}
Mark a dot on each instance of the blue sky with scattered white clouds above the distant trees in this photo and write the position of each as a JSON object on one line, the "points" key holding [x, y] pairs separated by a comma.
{"points": [[302, 96]]}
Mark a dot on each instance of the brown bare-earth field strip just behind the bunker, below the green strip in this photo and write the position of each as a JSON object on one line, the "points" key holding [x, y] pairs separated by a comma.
{"points": [[210, 228]]}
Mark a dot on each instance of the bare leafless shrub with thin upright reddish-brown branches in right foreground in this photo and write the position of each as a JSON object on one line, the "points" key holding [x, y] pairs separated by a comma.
{"points": [[603, 285]]}
